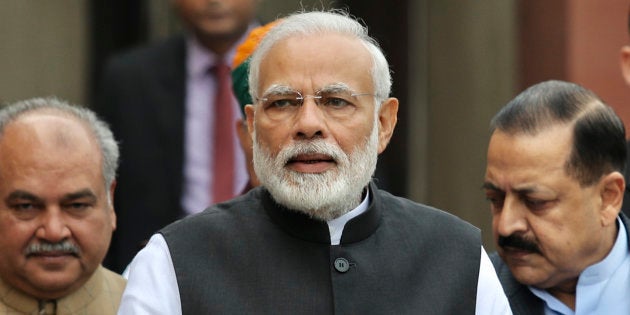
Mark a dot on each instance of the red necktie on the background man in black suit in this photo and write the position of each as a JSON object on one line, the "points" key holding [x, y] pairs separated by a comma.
{"points": [[224, 134]]}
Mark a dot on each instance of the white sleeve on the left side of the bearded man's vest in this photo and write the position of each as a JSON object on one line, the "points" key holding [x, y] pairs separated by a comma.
{"points": [[152, 285]]}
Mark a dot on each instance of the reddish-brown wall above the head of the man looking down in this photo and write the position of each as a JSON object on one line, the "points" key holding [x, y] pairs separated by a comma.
{"points": [[577, 41]]}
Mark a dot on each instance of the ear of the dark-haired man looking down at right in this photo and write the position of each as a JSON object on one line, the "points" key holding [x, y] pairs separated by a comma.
{"points": [[613, 186]]}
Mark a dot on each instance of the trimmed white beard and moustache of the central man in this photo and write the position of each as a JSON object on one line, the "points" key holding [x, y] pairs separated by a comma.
{"points": [[326, 195]]}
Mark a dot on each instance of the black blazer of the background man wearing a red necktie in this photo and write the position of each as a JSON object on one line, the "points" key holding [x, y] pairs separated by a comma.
{"points": [[142, 97]]}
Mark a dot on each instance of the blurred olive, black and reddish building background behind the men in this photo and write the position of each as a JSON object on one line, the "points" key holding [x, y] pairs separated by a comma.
{"points": [[454, 63]]}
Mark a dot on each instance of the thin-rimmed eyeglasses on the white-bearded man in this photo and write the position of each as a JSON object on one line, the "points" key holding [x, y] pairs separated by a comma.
{"points": [[336, 103]]}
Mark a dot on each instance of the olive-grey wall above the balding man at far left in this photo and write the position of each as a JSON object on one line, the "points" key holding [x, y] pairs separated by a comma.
{"points": [[43, 50]]}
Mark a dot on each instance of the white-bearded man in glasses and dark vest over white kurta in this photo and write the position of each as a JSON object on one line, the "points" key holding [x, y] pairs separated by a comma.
{"points": [[317, 237]]}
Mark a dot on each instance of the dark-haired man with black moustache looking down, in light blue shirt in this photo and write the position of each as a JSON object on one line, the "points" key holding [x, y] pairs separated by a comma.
{"points": [[555, 183]]}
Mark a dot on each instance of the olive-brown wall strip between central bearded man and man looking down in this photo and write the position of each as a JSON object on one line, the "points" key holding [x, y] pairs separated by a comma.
{"points": [[464, 63]]}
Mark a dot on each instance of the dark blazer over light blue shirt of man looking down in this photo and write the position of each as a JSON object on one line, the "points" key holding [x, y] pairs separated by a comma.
{"points": [[523, 301]]}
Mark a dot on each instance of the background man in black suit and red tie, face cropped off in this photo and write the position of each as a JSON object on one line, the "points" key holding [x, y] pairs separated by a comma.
{"points": [[159, 101]]}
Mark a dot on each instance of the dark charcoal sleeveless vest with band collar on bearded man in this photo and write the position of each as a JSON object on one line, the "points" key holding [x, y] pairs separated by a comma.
{"points": [[252, 256]]}
